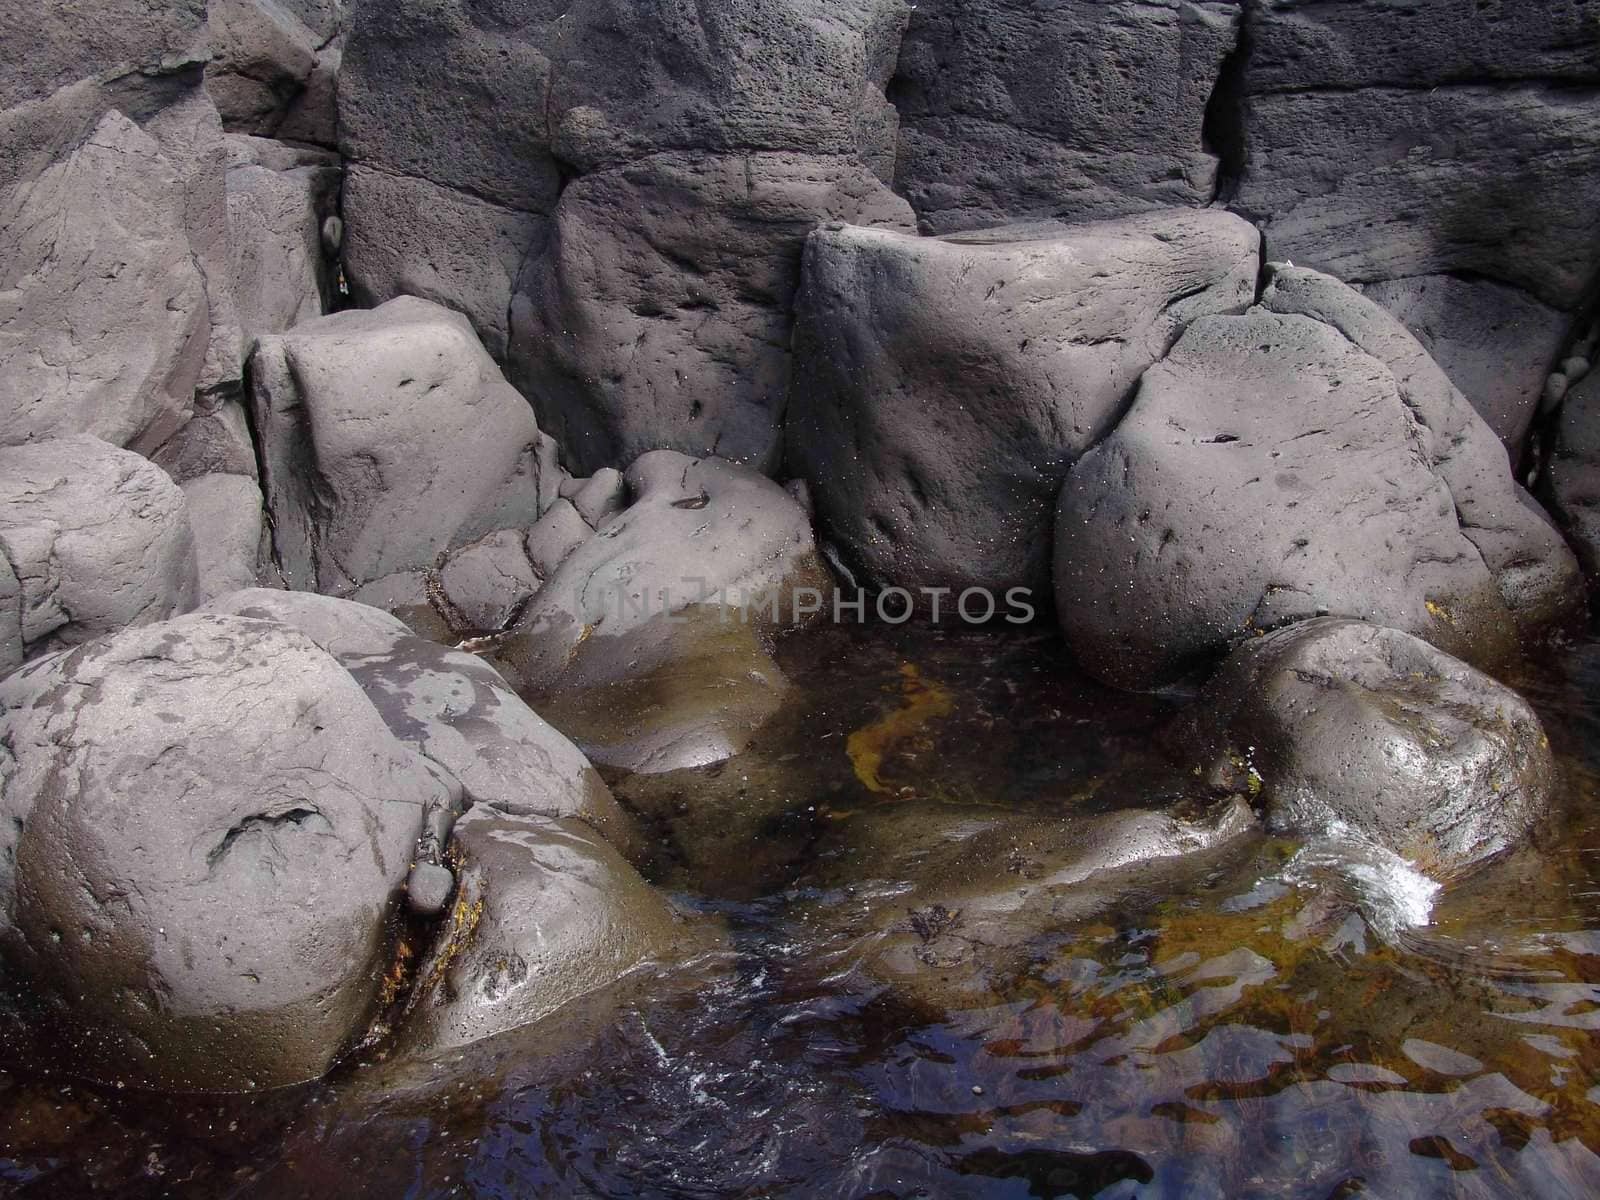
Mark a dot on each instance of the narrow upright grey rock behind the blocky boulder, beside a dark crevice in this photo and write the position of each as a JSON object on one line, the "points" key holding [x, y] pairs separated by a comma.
{"points": [[279, 198]]}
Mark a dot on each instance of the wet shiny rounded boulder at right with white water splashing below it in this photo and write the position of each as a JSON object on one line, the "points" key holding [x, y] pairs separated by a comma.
{"points": [[1340, 726]]}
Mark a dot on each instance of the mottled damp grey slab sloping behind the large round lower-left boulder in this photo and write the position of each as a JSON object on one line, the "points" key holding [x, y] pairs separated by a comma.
{"points": [[455, 711]]}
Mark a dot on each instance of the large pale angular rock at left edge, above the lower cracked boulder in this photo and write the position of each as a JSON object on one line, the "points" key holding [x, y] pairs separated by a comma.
{"points": [[105, 321]]}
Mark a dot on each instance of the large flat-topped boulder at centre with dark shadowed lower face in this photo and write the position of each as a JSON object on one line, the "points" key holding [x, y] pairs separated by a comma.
{"points": [[943, 386]]}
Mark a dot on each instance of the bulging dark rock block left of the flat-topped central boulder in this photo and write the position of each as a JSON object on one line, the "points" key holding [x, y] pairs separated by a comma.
{"points": [[660, 316]]}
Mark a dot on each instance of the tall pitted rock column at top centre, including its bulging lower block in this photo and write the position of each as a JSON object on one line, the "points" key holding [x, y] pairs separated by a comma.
{"points": [[724, 135]]}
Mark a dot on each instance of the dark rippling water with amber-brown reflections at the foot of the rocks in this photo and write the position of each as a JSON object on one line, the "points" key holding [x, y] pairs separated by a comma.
{"points": [[1270, 1030]]}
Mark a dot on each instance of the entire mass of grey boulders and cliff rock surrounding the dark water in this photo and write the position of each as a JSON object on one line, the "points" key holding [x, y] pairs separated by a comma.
{"points": [[412, 410]]}
